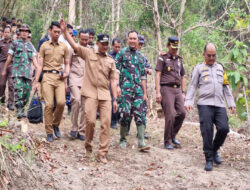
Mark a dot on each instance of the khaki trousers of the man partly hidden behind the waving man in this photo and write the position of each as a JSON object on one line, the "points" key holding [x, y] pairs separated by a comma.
{"points": [[77, 108]]}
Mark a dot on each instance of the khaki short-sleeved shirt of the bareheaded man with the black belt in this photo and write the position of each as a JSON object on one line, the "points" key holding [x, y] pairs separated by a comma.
{"points": [[53, 55]]}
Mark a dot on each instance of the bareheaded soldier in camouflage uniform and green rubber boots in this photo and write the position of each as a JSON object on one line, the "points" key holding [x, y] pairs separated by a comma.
{"points": [[132, 81]]}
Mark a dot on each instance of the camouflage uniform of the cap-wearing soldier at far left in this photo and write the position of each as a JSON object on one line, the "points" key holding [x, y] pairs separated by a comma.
{"points": [[22, 53]]}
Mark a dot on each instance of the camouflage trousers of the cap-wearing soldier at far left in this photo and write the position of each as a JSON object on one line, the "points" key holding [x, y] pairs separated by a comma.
{"points": [[22, 88]]}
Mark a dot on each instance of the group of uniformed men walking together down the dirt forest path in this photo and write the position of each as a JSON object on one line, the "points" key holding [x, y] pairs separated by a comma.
{"points": [[114, 85]]}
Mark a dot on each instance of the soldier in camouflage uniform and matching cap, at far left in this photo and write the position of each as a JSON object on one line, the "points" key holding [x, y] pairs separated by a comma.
{"points": [[22, 54]]}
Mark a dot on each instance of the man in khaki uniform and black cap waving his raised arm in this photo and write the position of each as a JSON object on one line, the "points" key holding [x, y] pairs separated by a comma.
{"points": [[100, 71]]}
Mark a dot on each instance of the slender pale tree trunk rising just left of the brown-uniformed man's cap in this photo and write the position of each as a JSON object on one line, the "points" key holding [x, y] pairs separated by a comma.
{"points": [[157, 25]]}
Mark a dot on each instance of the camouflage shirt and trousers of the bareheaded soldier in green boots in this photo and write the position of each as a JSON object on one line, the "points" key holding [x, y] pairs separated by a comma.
{"points": [[131, 66]]}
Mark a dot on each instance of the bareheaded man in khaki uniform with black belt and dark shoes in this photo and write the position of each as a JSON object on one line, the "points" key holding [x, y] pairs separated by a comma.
{"points": [[52, 56]]}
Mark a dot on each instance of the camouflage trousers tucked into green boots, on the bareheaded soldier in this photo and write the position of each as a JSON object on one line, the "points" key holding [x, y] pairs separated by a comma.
{"points": [[131, 104]]}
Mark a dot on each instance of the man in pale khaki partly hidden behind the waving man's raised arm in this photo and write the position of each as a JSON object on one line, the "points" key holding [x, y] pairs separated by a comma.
{"points": [[77, 65]]}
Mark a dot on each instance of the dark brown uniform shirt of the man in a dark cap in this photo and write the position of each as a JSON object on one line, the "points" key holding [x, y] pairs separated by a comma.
{"points": [[171, 69]]}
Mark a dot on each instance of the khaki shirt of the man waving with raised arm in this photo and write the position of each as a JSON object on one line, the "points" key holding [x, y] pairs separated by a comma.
{"points": [[99, 70]]}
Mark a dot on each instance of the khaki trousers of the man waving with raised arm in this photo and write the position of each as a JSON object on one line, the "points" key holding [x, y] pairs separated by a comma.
{"points": [[91, 106]]}
